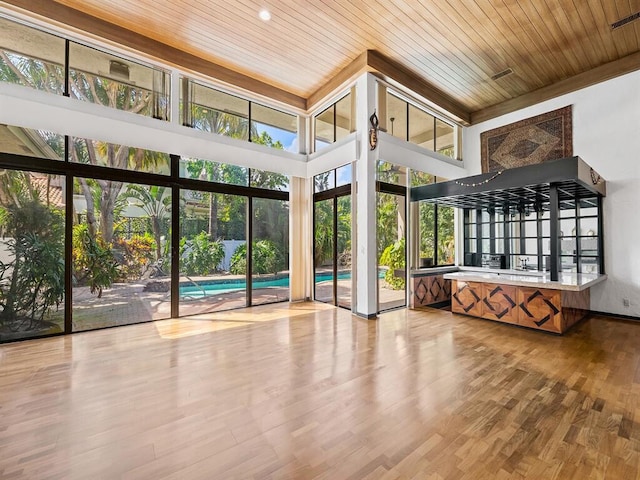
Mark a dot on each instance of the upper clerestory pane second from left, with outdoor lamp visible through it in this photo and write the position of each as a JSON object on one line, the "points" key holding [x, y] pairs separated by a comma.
{"points": [[105, 79]]}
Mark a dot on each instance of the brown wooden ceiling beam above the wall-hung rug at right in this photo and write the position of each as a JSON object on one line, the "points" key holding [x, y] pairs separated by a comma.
{"points": [[610, 70]]}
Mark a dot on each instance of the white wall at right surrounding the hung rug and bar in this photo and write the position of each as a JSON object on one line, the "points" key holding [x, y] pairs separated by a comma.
{"points": [[606, 135]]}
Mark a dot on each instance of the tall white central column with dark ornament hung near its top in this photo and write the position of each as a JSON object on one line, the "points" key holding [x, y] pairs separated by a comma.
{"points": [[365, 302]]}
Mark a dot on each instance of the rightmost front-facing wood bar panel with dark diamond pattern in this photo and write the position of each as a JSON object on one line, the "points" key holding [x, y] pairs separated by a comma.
{"points": [[540, 308]]}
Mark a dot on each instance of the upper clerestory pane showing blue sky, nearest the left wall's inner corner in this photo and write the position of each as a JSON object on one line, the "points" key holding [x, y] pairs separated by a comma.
{"points": [[274, 128]]}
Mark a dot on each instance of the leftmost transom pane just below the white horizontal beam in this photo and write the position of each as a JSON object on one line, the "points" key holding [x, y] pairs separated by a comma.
{"points": [[31, 143]]}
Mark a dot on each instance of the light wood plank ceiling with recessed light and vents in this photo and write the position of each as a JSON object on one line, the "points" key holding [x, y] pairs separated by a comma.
{"points": [[455, 46]]}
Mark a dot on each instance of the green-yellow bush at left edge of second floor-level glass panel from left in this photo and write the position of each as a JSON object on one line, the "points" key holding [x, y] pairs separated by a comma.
{"points": [[93, 261]]}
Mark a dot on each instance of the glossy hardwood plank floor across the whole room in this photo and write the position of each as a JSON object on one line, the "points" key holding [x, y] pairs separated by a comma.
{"points": [[303, 391]]}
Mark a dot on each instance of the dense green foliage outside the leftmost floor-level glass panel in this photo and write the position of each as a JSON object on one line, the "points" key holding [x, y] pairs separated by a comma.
{"points": [[32, 282]]}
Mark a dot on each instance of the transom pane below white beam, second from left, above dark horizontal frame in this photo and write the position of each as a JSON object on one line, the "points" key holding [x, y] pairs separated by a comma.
{"points": [[96, 152]]}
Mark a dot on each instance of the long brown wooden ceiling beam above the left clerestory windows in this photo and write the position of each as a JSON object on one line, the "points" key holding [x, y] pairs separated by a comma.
{"points": [[94, 26]]}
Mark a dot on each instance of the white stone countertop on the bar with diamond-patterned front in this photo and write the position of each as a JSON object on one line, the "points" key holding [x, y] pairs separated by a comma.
{"points": [[567, 281]]}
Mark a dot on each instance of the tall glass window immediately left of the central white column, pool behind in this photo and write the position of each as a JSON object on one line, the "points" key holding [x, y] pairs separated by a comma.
{"points": [[332, 237]]}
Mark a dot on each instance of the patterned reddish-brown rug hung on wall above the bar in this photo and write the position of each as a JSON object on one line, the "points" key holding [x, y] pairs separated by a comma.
{"points": [[529, 141]]}
